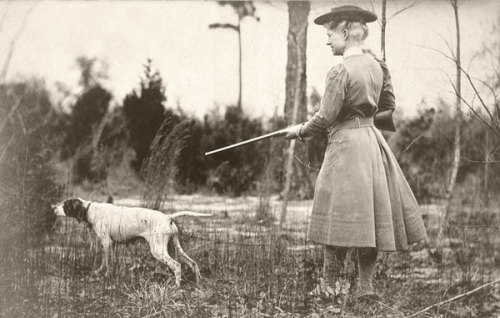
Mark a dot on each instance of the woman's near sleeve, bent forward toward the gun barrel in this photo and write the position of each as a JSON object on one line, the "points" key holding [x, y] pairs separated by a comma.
{"points": [[335, 91]]}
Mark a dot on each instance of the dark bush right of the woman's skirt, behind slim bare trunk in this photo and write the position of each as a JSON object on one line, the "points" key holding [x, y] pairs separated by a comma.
{"points": [[424, 148]]}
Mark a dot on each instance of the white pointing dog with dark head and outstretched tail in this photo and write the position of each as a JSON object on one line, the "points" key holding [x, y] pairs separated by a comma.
{"points": [[112, 223]]}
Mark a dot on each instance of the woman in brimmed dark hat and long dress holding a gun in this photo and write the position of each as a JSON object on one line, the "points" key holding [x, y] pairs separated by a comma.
{"points": [[362, 199]]}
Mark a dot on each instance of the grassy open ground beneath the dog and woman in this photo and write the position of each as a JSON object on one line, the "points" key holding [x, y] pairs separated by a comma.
{"points": [[250, 268]]}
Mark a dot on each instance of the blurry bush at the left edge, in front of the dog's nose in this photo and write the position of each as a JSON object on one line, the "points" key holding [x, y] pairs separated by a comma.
{"points": [[27, 141]]}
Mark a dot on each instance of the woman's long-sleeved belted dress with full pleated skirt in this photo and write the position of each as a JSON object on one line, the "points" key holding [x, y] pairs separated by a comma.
{"points": [[361, 198]]}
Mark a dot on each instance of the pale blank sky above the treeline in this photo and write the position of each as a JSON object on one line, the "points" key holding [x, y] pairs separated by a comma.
{"points": [[200, 65]]}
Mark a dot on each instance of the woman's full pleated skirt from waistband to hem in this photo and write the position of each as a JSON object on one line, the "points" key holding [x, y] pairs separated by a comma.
{"points": [[362, 198]]}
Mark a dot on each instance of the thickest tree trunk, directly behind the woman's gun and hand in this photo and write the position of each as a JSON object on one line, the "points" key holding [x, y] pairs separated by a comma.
{"points": [[296, 99]]}
